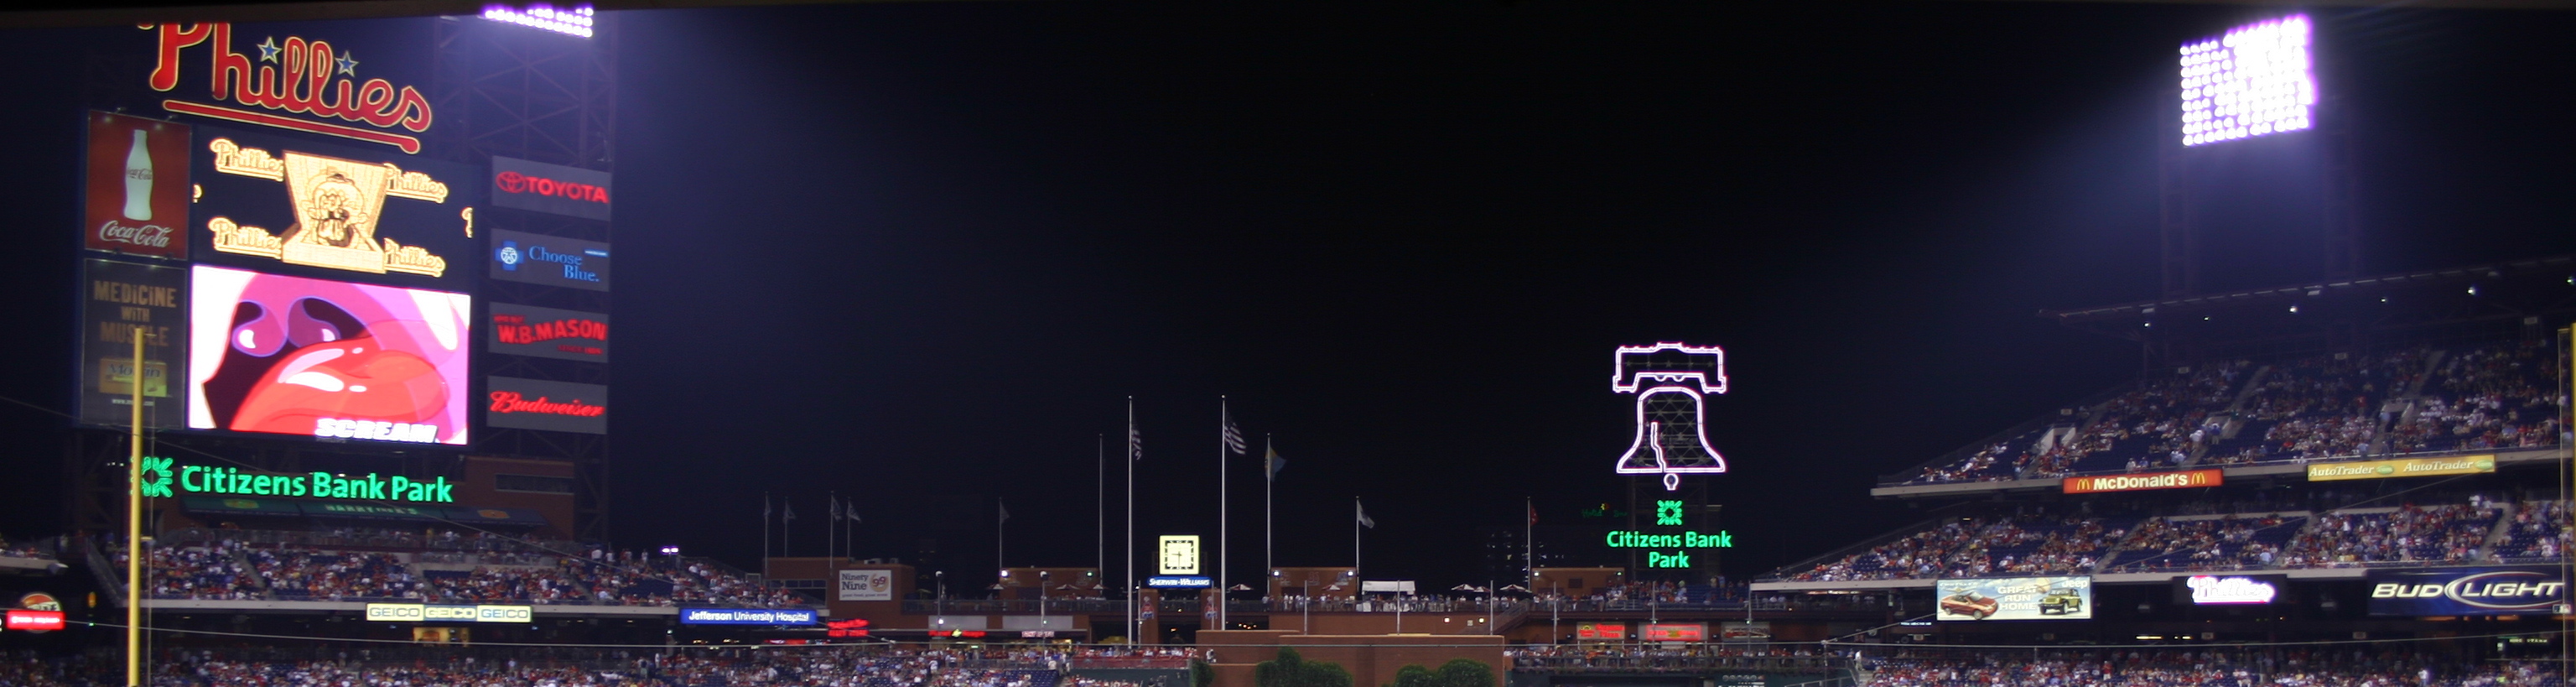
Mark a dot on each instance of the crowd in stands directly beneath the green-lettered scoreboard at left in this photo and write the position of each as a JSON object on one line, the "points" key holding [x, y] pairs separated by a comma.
{"points": [[223, 567]]}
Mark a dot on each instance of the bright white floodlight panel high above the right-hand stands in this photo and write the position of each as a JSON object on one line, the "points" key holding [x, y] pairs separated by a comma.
{"points": [[2248, 84]]}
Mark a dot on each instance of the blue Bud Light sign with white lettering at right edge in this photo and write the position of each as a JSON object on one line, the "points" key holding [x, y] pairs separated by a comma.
{"points": [[2500, 591]]}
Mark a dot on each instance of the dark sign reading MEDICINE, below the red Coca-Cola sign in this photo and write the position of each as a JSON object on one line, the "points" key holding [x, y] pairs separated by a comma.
{"points": [[120, 300]]}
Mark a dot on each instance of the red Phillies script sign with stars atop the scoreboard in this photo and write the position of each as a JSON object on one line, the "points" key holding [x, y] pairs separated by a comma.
{"points": [[287, 81]]}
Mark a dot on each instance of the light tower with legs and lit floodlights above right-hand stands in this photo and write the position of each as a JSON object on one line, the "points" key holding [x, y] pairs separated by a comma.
{"points": [[2245, 84]]}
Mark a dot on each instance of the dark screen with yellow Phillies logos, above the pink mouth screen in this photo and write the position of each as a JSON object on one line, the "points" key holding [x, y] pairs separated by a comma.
{"points": [[349, 215]]}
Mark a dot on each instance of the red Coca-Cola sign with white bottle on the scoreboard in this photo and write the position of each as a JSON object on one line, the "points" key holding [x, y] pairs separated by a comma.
{"points": [[138, 187]]}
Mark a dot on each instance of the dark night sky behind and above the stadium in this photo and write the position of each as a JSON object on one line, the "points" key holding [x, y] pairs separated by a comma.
{"points": [[923, 253]]}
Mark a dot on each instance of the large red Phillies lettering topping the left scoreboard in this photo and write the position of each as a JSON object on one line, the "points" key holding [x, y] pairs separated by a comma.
{"points": [[292, 76]]}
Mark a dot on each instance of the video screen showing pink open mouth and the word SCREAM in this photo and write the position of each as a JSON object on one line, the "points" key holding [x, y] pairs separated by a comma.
{"points": [[326, 359]]}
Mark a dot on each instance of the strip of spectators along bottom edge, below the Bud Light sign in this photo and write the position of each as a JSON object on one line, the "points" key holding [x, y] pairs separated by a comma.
{"points": [[2201, 668]]}
